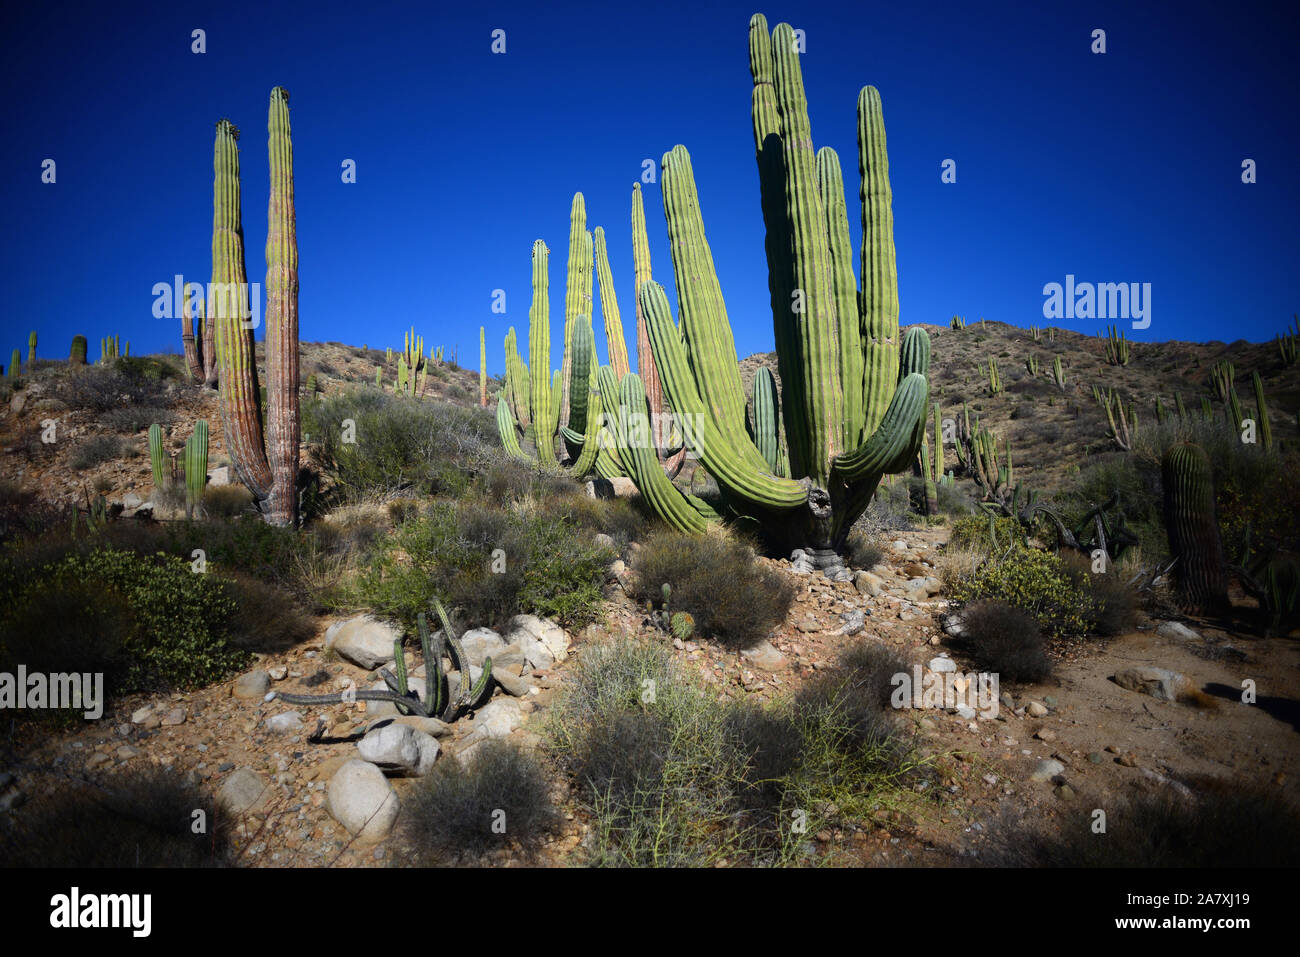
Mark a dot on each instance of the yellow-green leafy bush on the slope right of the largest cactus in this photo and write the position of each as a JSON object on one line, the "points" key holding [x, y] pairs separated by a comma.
{"points": [[1038, 583]]}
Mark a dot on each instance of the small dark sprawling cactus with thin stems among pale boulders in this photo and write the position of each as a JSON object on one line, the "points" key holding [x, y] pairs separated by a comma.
{"points": [[439, 700]]}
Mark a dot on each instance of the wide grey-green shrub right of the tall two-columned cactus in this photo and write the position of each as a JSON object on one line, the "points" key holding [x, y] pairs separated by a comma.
{"points": [[423, 447]]}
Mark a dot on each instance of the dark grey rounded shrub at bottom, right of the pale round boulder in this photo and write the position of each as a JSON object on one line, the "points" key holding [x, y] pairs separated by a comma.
{"points": [[452, 815]]}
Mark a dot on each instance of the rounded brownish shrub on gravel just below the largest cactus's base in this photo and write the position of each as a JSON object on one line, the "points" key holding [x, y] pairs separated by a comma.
{"points": [[720, 582]]}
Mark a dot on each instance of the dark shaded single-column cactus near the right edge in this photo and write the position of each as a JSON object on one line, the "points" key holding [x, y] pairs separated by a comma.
{"points": [[1194, 534]]}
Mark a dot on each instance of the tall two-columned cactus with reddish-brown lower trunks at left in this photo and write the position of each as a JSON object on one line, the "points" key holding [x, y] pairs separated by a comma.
{"points": [[268, 466]]}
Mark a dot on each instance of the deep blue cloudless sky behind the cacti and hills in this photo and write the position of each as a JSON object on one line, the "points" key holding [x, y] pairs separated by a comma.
{"points": [[1124, 167]]}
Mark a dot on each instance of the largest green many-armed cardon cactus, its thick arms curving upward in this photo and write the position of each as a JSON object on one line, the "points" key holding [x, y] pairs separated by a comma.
{"points": [[855, 397]]}
